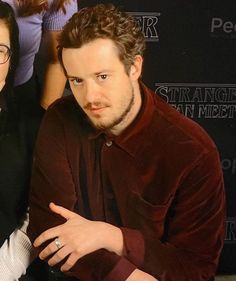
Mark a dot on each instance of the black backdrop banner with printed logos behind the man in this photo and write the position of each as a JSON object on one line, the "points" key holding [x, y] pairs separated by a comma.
{"points": [[191, 62]]}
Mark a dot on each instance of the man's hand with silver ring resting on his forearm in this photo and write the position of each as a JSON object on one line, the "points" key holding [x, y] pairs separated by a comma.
{"points": [[77, 237]]}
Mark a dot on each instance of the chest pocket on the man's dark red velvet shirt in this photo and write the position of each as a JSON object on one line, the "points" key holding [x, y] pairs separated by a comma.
{"points": [[148, 218]]}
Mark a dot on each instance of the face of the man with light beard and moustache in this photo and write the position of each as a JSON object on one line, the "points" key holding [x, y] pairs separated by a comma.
{"points": [[108, 95]]}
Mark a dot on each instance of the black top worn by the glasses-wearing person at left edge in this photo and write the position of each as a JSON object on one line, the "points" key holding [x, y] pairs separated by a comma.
{"points": [[17, 136]]}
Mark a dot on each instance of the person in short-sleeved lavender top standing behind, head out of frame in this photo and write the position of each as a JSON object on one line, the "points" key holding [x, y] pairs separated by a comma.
{"points": [[40, 22]]}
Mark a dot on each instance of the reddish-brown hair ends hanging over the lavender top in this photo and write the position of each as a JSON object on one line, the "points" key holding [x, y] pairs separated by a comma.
{"points": [[31, 7]]}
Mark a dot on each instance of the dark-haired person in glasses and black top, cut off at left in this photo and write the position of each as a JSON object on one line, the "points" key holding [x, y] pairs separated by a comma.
{"points": [[18, 131]]}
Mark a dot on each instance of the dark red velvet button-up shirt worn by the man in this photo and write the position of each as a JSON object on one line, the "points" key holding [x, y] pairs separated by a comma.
{"points": [[160, 180]]}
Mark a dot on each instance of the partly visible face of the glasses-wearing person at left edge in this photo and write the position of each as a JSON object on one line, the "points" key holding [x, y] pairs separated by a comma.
{"points": [[5, 40]]}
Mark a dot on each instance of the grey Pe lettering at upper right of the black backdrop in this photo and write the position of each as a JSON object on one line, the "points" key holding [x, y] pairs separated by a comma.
{"points": [[222, 27]]}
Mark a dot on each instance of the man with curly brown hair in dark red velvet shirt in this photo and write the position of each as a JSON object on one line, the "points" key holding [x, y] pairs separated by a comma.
{"points": [[139, 186]]}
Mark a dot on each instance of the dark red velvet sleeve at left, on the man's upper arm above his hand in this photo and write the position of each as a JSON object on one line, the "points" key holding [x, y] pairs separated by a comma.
{"points": [[51, 179]]}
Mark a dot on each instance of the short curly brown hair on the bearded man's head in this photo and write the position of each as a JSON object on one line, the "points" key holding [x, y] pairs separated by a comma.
{"points": [[107, 22]]}
